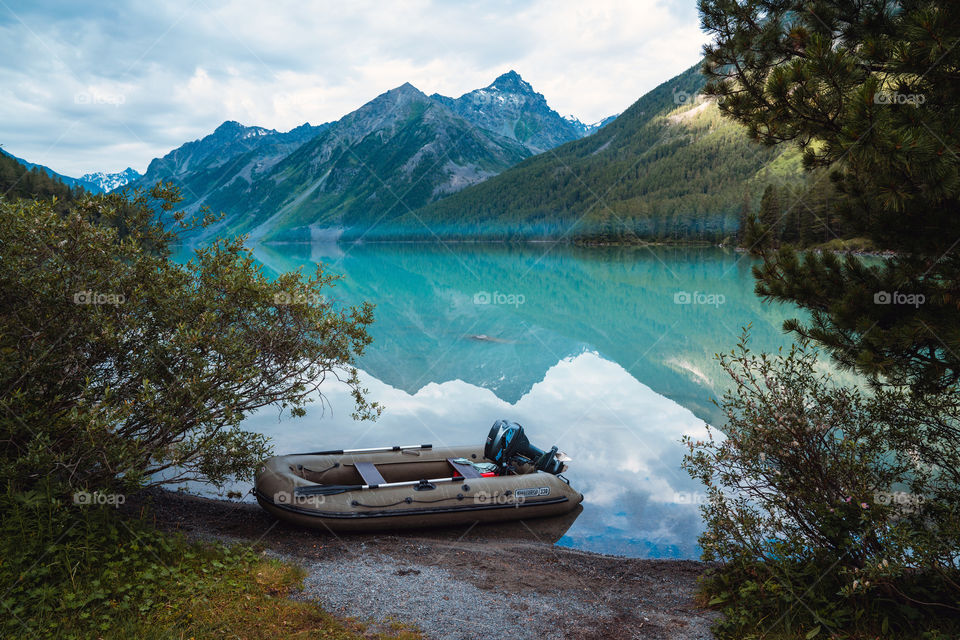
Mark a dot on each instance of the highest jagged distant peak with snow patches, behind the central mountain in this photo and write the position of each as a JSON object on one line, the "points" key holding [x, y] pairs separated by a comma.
{"points": [[510, 107]]}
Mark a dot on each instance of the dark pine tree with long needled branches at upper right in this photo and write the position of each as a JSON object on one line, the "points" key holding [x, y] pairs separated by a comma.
{"points": [[868, 90]]}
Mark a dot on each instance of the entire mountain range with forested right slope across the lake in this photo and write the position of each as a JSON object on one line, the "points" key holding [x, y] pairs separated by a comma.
{"points": [[409, 166]]}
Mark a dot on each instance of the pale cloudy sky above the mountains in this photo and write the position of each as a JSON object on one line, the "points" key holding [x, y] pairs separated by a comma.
{"points": [[99, 86]]}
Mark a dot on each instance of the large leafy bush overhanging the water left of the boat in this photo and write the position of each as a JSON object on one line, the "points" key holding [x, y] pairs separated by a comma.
{"points": [[120, 368]]}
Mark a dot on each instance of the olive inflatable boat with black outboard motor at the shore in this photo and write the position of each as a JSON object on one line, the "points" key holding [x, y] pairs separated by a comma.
{"points": [[414, 486]]}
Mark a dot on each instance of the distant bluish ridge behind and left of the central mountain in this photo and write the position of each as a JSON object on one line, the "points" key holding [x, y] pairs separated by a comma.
{"points": [[232, 154]]}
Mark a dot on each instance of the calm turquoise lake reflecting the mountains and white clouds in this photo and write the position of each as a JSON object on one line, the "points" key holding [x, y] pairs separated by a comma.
{"points": [[606, 352]]}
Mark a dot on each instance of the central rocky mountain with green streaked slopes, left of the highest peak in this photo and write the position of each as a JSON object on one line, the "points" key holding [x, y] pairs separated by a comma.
{"points": [[398, 152]]}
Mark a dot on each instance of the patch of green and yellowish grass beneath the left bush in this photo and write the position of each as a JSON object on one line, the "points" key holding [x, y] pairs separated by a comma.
{"points": [[69, 571]]}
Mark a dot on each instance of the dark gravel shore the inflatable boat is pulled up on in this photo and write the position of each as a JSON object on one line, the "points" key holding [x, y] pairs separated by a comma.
{"points": [[476, 582]]}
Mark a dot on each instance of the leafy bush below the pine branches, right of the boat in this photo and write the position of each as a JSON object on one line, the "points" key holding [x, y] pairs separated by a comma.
{"points": [[829, 508]]}
